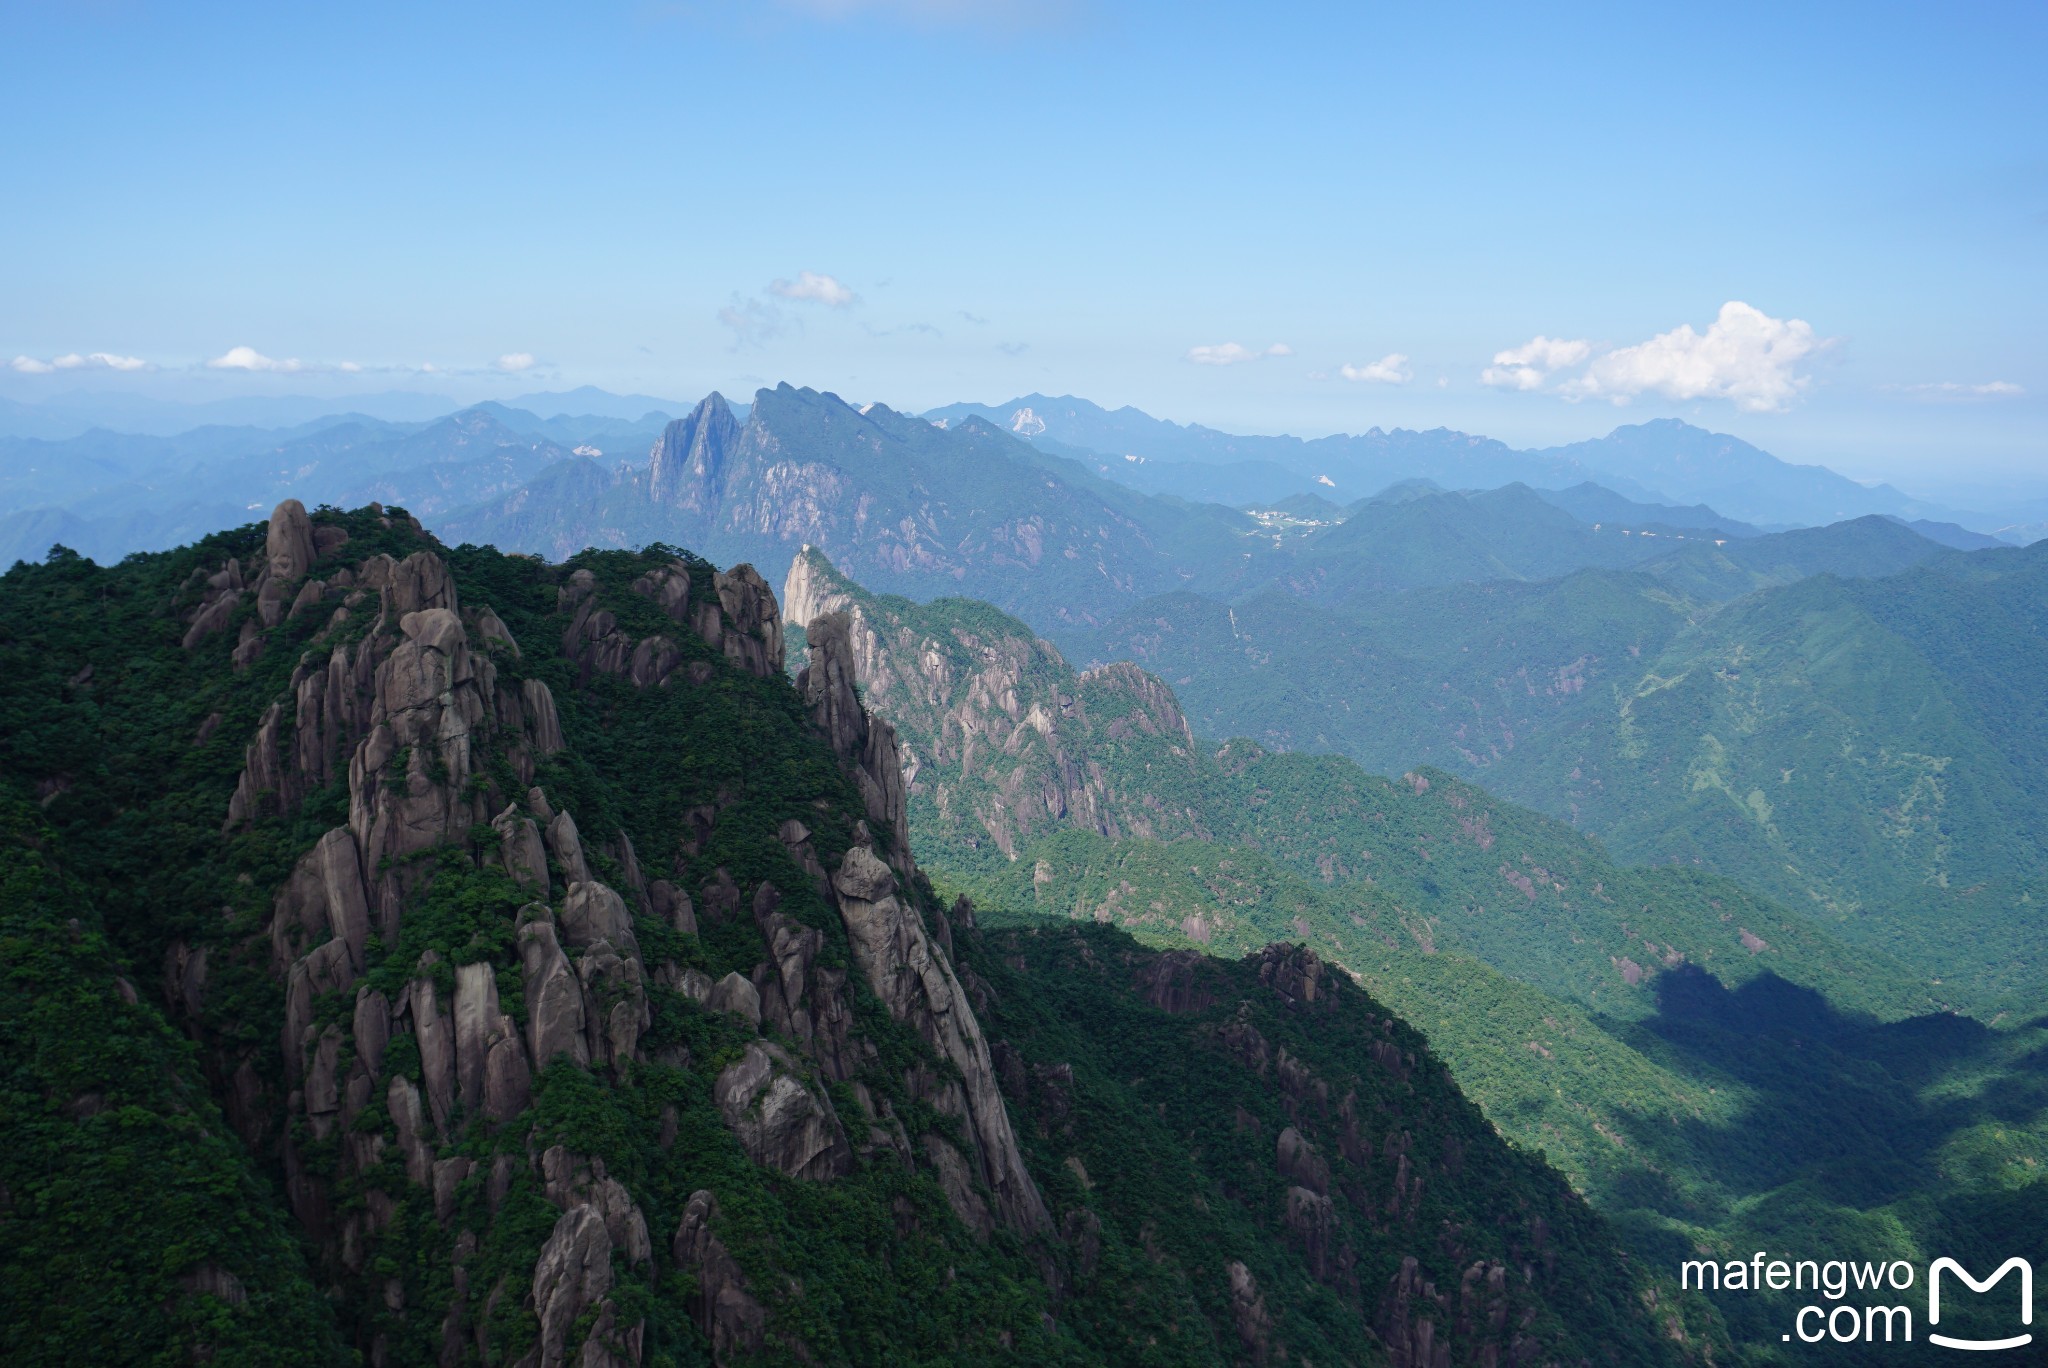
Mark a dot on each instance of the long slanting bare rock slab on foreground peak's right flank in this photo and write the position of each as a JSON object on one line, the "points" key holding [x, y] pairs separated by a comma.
{"points": [[919, 986]]}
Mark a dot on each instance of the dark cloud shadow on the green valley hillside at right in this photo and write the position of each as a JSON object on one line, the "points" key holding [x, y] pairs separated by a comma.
{"points": [[1838, 1103]]}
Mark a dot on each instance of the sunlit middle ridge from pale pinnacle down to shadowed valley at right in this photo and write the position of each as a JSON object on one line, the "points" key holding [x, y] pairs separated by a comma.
{"points": [[1717, 1072]]}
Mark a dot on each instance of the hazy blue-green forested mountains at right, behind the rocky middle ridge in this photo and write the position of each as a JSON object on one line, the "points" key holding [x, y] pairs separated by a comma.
{"points": [[1857, 746]]}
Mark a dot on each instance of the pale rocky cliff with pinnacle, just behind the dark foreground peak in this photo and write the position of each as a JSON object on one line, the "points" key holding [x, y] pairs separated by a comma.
{"points": [[1000, 740]]}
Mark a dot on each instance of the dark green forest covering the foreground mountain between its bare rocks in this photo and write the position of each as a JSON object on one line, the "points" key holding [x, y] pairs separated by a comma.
{"points": [[153, 1146]]}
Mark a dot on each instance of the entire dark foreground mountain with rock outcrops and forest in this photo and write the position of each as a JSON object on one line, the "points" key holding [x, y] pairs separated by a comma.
{"points": [[560, 974]]}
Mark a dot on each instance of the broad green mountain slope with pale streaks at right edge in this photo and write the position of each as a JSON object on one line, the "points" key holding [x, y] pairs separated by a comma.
{"points": [[1867, 751]]}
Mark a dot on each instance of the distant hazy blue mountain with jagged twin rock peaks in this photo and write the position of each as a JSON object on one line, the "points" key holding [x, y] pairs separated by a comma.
{"points": [[916, 509]]}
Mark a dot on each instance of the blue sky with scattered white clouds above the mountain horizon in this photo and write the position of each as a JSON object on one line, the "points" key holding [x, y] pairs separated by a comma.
{"points": [[1367, 214]]}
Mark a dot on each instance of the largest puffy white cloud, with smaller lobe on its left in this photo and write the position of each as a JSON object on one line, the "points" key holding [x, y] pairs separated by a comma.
{"points": [[1746, 357]]}
